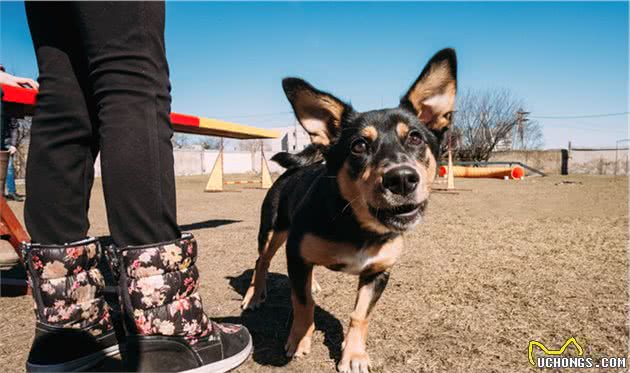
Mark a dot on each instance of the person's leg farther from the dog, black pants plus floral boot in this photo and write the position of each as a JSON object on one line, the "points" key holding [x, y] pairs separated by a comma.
{"points": [[74, 328]]}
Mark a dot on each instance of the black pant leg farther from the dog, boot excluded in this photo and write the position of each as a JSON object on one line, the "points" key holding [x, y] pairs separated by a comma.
{"points": [[60, 168]]}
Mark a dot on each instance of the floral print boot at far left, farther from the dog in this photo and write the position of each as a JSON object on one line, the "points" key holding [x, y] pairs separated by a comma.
{"points": [[74, 330]]}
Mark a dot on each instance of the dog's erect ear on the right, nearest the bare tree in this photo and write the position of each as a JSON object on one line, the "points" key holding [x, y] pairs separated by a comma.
{"points": [[432, 95]]}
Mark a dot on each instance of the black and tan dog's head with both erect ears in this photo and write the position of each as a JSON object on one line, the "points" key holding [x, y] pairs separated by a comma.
{"points": [[384, 160]]}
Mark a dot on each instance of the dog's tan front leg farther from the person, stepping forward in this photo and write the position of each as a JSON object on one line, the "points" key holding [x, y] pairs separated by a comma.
{"points": [[354, 358]]}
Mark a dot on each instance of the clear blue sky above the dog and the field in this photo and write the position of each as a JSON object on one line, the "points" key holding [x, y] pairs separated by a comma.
{"points": [[227, 59]]}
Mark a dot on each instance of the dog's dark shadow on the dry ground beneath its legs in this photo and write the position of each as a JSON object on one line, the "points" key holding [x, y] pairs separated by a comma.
{"points": [[270, 324]]}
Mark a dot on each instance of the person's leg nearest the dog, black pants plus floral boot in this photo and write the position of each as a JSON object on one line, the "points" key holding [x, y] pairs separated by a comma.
{"points": [[168, 330]]}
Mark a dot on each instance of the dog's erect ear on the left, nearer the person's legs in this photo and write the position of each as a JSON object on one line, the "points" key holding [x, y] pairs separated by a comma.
{"points": [[318, 112]]}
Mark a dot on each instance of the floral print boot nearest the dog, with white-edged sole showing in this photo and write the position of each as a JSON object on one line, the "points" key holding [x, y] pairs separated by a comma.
{"points": [[167, 329]]}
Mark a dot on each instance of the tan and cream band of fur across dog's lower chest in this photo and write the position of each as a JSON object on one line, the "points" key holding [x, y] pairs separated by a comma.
{"points": [[349, 259]]}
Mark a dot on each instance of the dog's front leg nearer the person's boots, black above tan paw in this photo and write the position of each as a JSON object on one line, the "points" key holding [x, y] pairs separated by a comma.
{"points": [[300, 274]]}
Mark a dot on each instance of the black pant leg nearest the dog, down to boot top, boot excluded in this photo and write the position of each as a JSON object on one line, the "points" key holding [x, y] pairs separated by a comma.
{"points": [[129, 76]]}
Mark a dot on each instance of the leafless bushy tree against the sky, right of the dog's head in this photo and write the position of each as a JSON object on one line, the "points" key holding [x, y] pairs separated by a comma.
{"points": [[489, 120]]}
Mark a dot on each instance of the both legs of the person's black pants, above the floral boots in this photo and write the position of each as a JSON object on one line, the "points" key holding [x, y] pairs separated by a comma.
{"points": [[104, 87]]}
